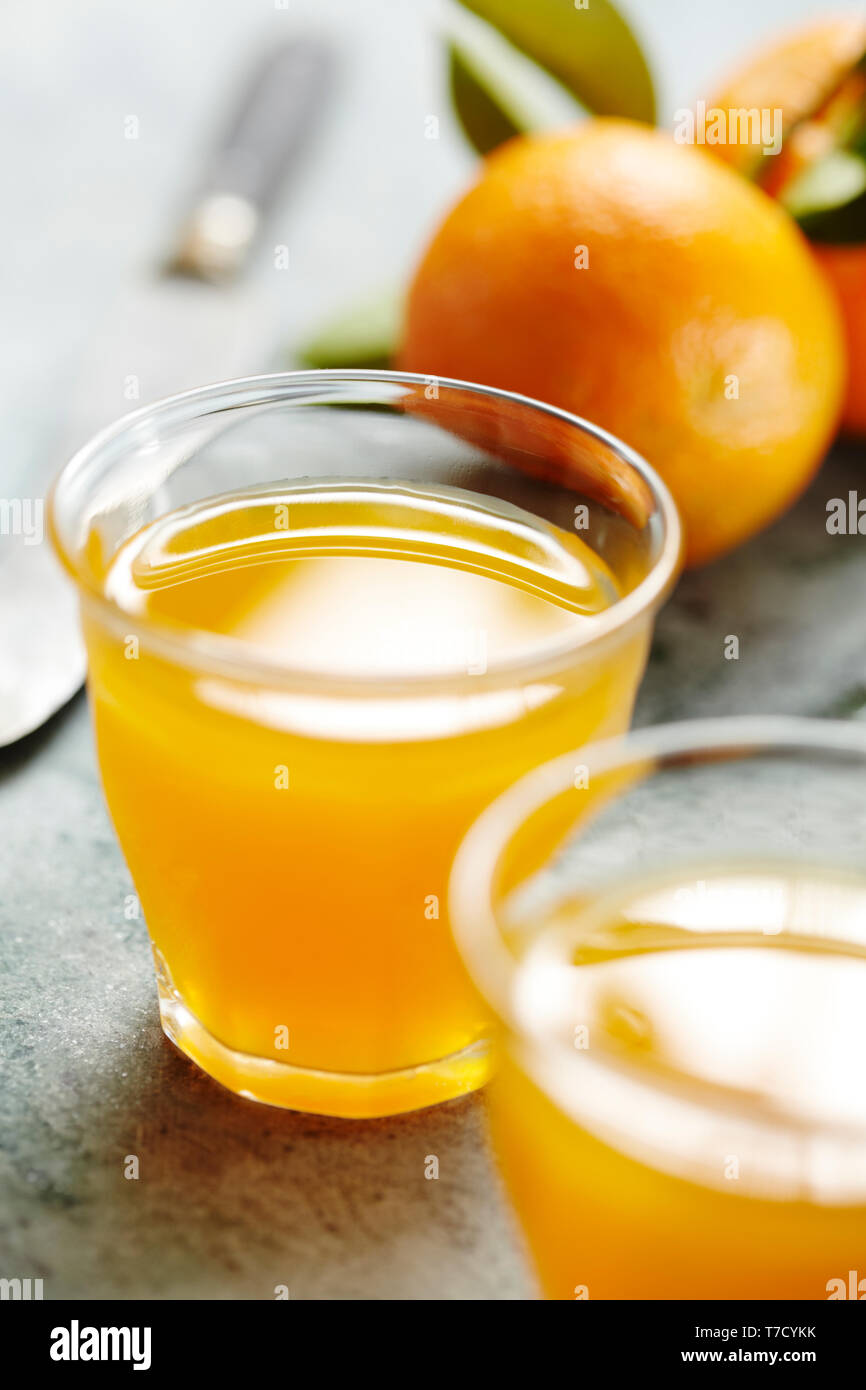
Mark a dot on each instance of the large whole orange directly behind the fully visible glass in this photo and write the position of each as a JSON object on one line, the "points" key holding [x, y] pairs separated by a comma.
{"points": [[647, 287]]}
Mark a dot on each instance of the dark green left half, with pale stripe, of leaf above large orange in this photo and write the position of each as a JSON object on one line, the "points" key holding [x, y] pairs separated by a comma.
{"points": [[496, 90]]}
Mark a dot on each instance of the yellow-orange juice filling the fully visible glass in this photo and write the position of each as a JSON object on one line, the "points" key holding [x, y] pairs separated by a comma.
{"points": [[291, 835]]}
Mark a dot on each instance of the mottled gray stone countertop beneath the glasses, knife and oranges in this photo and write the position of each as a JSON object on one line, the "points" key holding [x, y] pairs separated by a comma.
{"points": [[236, 1199]]}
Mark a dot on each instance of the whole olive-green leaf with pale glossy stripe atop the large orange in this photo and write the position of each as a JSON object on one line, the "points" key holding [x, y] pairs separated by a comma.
{"points": [[590, 52]]}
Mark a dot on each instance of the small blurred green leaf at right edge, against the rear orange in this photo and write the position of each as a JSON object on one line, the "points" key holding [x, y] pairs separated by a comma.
{"points": [[829, 198]]}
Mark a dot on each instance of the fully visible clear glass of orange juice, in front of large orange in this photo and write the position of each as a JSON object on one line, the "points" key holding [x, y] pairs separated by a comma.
{"points": [[329, 618]]}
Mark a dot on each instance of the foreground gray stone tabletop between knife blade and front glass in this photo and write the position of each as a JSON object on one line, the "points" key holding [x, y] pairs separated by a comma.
{"points": [[233, 1197]]}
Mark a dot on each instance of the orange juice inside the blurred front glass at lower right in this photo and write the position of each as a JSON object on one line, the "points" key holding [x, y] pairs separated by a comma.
{"points": [[724, 1154]]}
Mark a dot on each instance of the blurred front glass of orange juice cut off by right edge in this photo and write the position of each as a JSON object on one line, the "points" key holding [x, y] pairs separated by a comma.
{"points": [[672, 932]]}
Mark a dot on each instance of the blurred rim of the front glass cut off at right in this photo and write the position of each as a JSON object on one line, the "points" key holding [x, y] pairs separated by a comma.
{"points": [[475, 913]]}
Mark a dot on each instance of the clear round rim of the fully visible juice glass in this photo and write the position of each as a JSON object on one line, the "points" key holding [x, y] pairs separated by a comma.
{"points": [[224, 657]]}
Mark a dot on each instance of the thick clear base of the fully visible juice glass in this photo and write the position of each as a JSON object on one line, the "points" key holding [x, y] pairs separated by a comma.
{"points": [[343, 1095]]}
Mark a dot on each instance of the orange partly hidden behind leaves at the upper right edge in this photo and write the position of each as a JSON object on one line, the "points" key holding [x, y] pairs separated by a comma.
{"points": [[812, 76]]}
